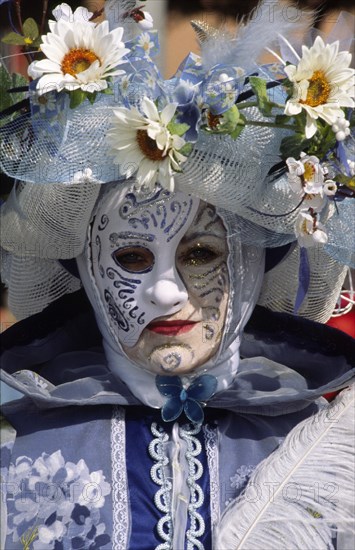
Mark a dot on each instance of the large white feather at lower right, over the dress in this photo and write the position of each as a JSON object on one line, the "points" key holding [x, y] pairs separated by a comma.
{"points": [[302, 495]]}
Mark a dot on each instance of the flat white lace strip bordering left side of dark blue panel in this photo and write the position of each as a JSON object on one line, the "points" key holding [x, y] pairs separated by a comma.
{"points": [[120, 495]]}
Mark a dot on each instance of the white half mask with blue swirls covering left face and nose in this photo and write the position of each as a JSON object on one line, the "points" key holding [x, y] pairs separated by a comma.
{"points": [[133, 245]]}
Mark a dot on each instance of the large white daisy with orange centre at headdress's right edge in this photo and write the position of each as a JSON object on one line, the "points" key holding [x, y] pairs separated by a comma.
{"points": [[323, 84]]}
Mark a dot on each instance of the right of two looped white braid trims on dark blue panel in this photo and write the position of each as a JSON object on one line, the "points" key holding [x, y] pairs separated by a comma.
{"points": [[197, 524]]}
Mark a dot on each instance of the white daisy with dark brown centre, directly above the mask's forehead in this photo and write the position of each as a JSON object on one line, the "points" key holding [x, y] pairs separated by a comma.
{"points": [[143, 145]]}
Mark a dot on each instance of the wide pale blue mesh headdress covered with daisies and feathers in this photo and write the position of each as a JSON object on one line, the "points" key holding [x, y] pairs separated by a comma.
{"points": [[268, 142]]}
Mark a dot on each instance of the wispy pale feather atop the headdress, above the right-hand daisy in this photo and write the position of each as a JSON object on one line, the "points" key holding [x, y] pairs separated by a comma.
{"points": [[262, 29]]}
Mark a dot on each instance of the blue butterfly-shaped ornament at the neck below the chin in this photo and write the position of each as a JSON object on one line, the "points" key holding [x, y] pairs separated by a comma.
{"points": [[189, 400]]}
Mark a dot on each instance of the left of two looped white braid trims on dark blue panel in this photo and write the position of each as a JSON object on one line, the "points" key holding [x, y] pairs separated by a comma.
{"points": [[162, 498]]}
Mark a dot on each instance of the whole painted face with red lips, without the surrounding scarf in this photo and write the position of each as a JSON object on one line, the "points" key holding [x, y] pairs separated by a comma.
{"points": [[159, 264]]}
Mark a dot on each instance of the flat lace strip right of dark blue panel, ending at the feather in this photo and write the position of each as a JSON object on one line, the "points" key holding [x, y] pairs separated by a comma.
{"points": [[211, 443]]}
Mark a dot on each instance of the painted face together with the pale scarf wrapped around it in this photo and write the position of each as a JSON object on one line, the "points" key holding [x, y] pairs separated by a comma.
{"points": [[157, 270]]}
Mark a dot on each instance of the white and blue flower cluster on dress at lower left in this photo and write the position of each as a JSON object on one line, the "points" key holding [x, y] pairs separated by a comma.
{"points": [[53, 504]]}
